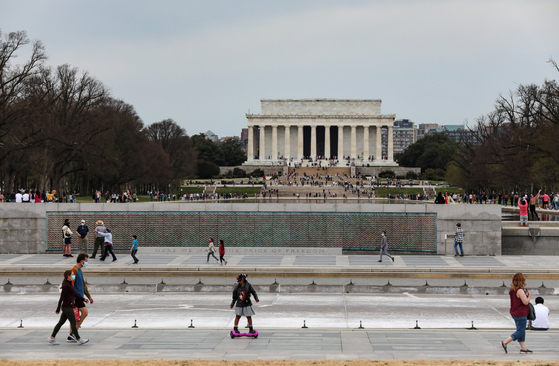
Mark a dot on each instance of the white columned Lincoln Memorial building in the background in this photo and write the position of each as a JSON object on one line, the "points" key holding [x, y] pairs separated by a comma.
{"points": [[325, 131]]}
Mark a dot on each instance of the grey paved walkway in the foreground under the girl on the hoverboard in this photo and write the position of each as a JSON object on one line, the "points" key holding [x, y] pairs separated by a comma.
{"points": [[297, 344]]}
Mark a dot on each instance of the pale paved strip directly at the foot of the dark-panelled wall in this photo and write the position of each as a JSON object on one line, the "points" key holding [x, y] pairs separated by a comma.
{"points": [[510, 262]]}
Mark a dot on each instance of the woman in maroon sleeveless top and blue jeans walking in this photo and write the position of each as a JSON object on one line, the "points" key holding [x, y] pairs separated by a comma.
{"points": [[519, 300]]}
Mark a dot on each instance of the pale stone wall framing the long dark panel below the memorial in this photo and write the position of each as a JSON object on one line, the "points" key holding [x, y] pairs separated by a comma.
{"points": [[23, 227]]}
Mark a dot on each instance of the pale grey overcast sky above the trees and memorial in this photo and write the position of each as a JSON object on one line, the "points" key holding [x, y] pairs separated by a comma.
{"points": [[206, 63]]}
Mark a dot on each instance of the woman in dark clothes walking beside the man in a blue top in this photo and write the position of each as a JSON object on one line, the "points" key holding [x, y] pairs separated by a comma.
{"points": [[66, 304]]}
